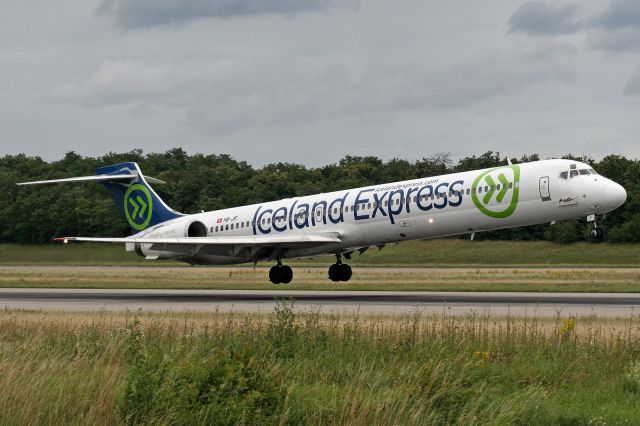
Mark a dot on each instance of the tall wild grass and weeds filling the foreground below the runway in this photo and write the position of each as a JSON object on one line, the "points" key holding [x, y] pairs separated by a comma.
{"points": [[294, 368]]}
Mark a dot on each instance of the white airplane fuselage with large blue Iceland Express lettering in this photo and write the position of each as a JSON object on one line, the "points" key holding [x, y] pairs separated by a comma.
{"points": [[453, 204]]}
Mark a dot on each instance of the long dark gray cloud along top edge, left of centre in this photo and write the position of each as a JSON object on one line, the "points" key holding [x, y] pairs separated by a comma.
{"points": [[132, 14]]}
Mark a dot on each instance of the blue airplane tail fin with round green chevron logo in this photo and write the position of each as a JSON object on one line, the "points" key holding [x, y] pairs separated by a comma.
{"points": [[137, 201]]}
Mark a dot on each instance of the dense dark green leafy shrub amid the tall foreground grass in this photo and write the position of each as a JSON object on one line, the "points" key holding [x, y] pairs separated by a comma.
{"points": [[202, 384]]}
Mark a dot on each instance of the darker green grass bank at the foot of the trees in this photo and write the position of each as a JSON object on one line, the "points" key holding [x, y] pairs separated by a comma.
{"points": [[445, 252]]}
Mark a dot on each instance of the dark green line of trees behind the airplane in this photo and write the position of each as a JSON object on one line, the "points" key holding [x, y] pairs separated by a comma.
{"points": [[34, 215]]}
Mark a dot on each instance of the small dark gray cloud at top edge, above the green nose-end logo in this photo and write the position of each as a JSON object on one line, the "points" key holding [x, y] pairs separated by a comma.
{"points": [[539, 18]]}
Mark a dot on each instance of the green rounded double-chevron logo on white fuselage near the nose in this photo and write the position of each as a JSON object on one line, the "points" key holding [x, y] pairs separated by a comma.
{"points": [[495, 192]]}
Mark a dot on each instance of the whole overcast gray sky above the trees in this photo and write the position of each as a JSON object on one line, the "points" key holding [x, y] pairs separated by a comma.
{"points": [[311, 81]]}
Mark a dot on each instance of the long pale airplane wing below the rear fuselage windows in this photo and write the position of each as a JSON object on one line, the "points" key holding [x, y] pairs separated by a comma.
{"points": [[236, 246]]}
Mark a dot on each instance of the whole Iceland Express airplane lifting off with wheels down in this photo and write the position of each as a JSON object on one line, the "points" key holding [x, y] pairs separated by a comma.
{"points": [[343, 222]]}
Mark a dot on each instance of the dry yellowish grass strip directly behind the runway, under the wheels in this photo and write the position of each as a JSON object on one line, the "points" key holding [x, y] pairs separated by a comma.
{"points": [[312, 278]]}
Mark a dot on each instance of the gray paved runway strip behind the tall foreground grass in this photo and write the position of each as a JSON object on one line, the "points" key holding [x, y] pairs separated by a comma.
{"points": [[349, 302]]}
